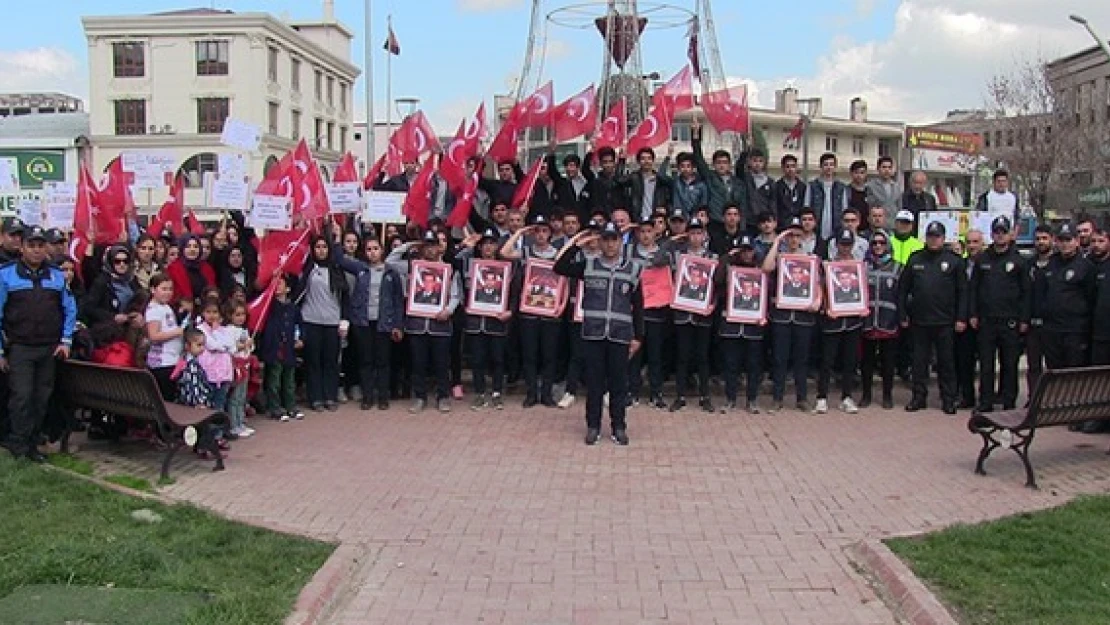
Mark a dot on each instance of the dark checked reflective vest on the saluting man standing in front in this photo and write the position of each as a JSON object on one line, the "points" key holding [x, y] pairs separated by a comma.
{"points": [[607, 300]]}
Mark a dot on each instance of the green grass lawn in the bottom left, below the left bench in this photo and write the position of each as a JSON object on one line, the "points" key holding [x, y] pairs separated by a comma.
{"points": [[60, 530]]}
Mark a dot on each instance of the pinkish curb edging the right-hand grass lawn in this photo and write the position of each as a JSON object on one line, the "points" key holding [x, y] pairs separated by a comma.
{"points": [[900, 588]]}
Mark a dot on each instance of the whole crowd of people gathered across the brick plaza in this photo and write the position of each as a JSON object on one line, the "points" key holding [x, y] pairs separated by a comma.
{"points": [[341, 327]]}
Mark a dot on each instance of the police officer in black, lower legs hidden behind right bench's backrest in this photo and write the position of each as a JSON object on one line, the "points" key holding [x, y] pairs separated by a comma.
{"points": [[1069, 298]]}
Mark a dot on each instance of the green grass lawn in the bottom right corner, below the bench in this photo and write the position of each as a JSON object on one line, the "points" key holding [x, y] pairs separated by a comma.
{"points": [[1044, 568]]}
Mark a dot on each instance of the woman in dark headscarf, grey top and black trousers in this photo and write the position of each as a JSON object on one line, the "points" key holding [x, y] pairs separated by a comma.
{"points": [[322, 295]]}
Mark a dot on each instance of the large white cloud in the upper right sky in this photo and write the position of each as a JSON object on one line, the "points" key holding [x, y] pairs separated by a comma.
{"points": [[939, 57]]}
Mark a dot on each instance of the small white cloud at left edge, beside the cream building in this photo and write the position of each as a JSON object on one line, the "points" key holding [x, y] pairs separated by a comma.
{"points": [[43, 69]]}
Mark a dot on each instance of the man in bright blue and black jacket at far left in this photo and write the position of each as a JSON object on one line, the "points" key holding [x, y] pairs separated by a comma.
{"points": [[38, 317]]}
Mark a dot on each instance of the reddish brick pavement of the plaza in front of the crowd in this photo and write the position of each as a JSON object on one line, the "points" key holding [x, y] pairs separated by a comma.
{"points": [[508, 518]]}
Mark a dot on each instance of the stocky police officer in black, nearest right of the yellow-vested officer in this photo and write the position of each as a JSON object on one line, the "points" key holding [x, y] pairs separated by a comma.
{"points": [[933, 301]]}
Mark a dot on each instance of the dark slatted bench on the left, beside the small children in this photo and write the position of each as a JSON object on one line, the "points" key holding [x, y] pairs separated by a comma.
{"points": [[134, 394]]}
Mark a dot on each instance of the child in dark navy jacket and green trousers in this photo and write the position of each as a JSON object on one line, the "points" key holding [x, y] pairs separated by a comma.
{"points": [[278, 352]]}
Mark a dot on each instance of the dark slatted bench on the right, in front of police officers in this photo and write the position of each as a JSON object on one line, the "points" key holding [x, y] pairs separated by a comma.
{"points": [[1063, 397]]}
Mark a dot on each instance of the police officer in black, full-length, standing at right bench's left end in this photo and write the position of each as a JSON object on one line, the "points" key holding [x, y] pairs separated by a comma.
{"points": [[1000, 311]]}
